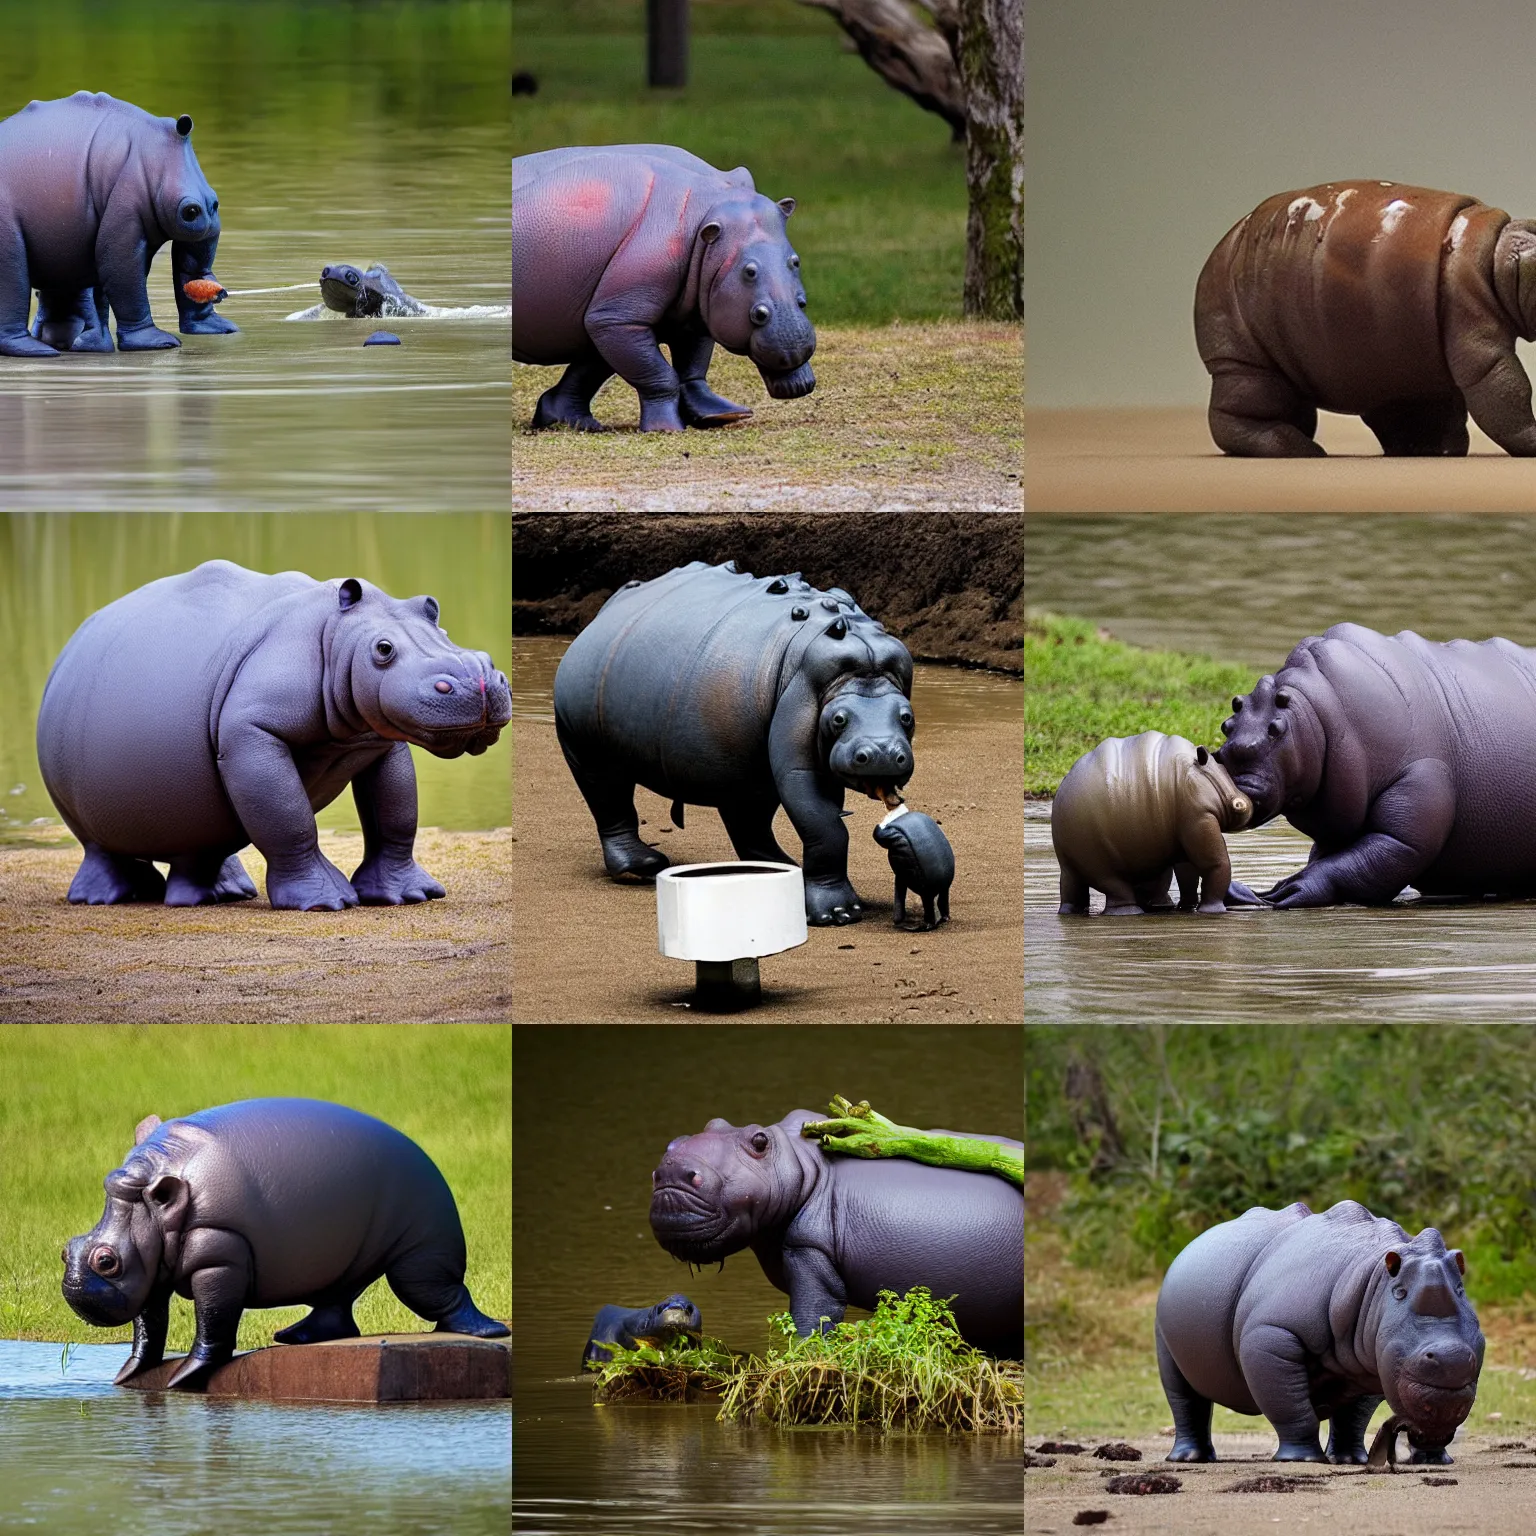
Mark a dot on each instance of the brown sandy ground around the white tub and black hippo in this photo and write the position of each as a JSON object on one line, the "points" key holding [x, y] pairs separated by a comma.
{"points": [[586, 947]]}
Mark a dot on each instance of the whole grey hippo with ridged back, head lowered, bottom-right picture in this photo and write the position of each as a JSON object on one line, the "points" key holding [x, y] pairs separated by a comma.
{"points": [[1306, 1317]]}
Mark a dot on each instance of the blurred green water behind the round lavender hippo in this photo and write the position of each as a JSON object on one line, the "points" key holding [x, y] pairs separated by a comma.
{"points": [[58, 569]]}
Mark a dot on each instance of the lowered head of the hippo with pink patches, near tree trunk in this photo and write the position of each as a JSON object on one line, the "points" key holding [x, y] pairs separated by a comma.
{"points": [[750, 291]]}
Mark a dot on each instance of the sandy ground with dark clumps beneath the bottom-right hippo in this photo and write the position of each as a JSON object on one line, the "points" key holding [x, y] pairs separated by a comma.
{"points": [[1494, 1492]]}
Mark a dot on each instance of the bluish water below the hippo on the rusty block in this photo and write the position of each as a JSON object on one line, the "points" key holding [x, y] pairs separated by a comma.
{"points": [[82, 1455]]}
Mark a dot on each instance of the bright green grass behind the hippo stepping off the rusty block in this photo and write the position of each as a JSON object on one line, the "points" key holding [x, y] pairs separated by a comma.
{"points": [[73, 1096]]}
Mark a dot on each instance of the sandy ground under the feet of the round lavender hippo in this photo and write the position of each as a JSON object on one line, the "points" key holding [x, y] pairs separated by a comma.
{"points": [[245, 964]]}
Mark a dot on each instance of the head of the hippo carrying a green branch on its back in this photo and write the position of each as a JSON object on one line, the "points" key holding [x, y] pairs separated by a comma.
{"points": [[715, 1191]]}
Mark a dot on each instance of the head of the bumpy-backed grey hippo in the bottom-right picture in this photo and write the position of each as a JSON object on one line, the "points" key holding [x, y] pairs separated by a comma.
{"points": [[1429, 1346]]}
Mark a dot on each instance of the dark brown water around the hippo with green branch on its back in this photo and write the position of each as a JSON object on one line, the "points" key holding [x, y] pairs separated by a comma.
{"points": [[594, 1113]]}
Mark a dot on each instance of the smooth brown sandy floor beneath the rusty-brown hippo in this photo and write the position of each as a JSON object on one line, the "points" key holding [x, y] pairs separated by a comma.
{"points": [[1164, 460]]}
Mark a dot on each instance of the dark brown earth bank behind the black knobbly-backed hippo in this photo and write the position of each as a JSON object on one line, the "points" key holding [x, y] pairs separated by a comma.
{"points": [[952, 584]]}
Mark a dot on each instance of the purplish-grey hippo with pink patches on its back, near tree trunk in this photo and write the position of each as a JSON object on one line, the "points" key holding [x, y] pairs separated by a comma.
{"points": [[623, 248]]}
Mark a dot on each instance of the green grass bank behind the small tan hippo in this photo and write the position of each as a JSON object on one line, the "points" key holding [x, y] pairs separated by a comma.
{"points": [[1085, 686]]}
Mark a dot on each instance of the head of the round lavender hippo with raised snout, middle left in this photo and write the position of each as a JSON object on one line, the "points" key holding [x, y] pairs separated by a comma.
{"points": [[394, 672]]}
